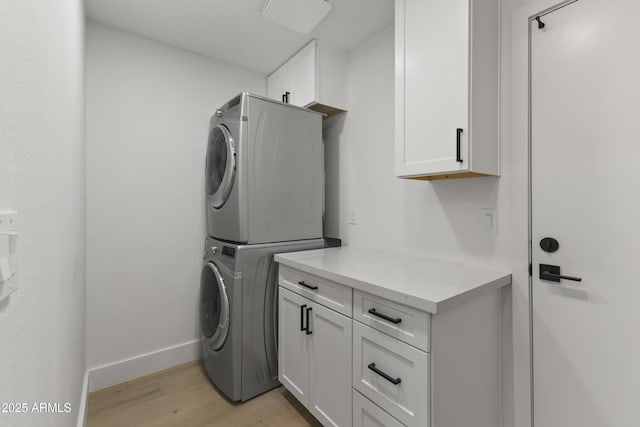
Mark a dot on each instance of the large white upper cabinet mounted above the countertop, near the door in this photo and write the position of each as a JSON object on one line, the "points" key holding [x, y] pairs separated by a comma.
{"points": [[446, 88]]}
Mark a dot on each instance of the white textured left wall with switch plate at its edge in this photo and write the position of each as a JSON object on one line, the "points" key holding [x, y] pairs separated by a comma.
{"points": [[42, 175]]}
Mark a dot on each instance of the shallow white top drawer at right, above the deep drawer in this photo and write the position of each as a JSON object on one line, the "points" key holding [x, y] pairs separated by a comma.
{"points": [[405, 323]]}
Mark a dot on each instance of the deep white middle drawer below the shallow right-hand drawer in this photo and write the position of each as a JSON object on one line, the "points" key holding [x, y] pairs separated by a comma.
{"points": [[408, 400]]}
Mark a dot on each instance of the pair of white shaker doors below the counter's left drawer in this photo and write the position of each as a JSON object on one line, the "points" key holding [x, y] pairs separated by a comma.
{"points": [[314, 357]]}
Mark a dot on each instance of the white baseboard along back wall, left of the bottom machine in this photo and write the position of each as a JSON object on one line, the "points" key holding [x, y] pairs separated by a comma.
{"points": [[145, 364]]}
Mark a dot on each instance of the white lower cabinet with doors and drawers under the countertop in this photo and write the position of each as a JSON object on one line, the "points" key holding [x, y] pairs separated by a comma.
{"points": [[386, 364]]}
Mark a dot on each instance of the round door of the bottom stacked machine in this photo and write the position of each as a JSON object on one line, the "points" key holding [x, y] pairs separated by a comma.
{"points": [[214, 307]]}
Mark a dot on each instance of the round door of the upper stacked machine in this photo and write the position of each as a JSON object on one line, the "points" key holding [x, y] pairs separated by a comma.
{"points": [[221, 165]]}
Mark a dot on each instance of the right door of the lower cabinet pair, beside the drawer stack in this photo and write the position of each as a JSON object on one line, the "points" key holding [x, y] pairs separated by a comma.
{"points": [[330, 367]]}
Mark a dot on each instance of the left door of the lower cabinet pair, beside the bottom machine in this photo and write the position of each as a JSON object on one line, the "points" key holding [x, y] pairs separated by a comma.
{"points": [[293, 345]]}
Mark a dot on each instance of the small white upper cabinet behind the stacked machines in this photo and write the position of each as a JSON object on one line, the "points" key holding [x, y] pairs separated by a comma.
{"points": [[315, 77]]}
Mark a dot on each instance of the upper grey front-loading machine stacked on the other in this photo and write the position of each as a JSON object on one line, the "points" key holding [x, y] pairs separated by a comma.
{"points": [[264, 172]]}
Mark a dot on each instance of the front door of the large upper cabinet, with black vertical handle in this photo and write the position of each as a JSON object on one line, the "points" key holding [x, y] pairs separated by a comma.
{"points": [[432, 89]]}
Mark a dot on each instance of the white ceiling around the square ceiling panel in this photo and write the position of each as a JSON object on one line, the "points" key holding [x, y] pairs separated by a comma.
{"points": [[233, 31]]}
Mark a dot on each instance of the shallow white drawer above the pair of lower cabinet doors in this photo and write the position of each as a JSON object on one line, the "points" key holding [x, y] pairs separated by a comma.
{"points": [[326, 292]]}
